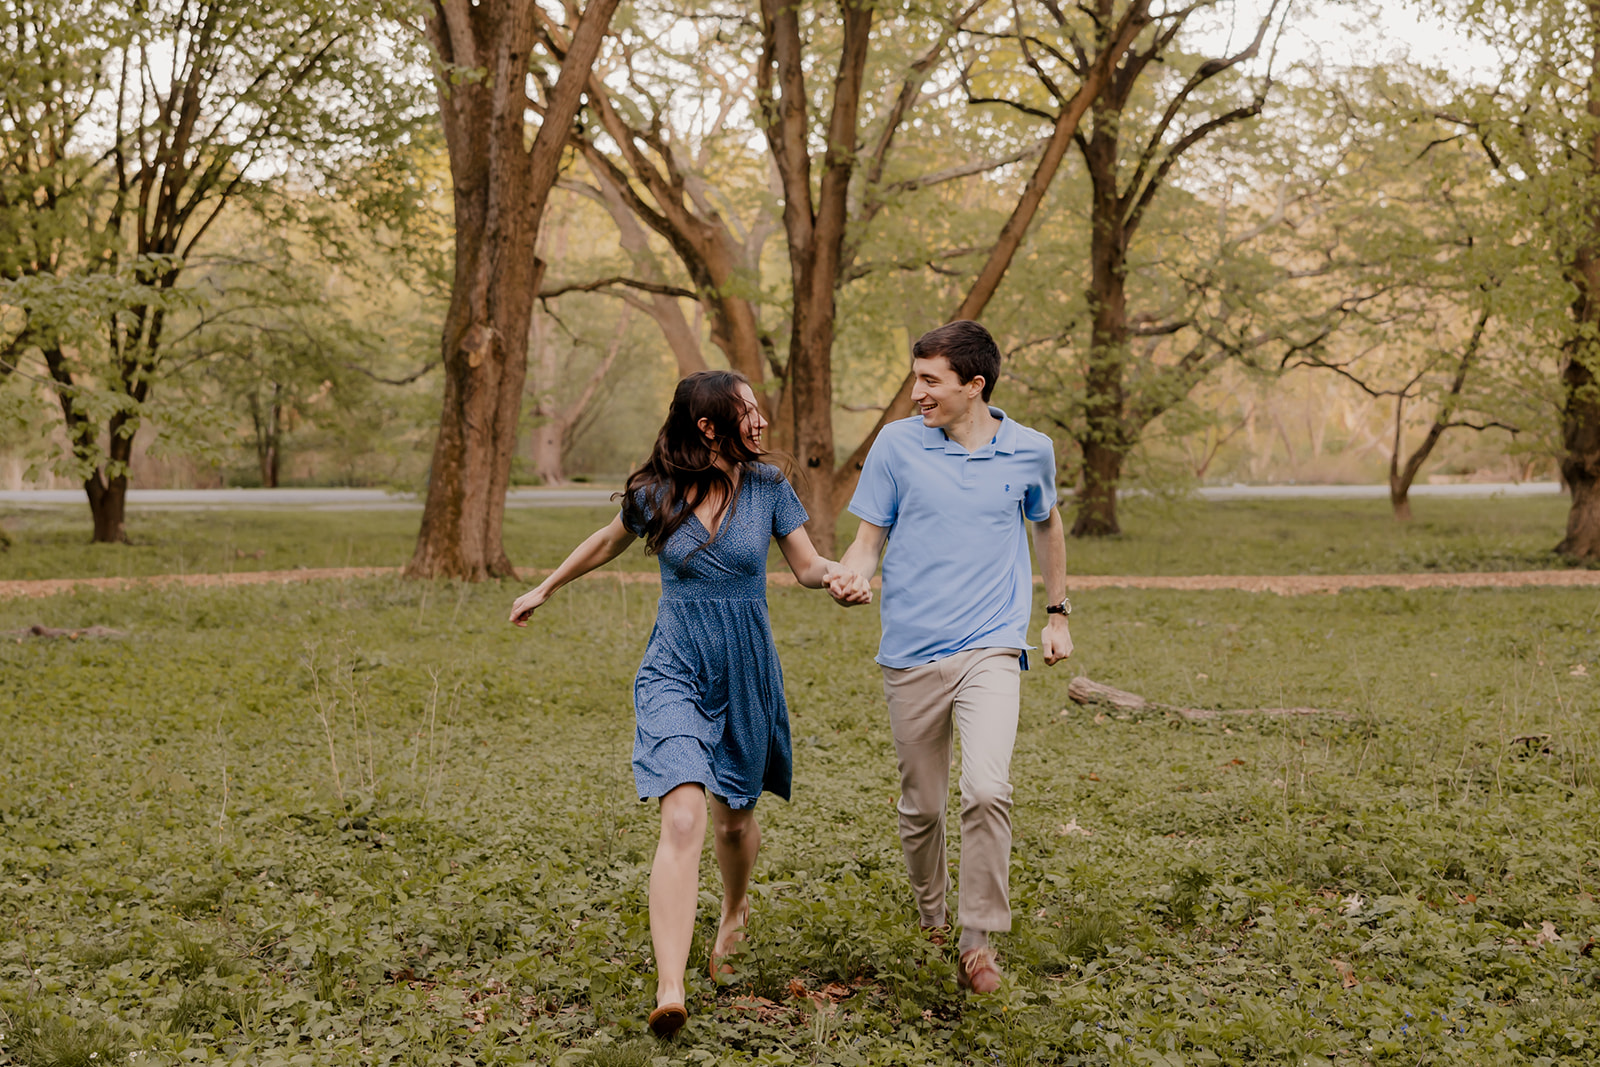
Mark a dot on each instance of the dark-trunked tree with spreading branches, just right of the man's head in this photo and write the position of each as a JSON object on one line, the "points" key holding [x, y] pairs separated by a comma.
{"points": [[1161, 103]]}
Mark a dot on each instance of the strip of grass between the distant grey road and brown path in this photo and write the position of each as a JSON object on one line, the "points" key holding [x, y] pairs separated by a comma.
{"points": [[1162, 538]]}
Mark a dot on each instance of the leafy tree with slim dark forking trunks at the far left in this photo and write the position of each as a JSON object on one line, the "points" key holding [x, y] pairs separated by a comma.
{"points": [[156, 119]]}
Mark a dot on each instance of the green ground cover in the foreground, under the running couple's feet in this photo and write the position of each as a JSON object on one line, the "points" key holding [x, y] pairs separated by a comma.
{"points": [[370, 823]]}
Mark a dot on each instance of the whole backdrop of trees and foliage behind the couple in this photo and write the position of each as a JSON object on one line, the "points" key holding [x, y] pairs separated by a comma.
{"points": [[268, 244]]}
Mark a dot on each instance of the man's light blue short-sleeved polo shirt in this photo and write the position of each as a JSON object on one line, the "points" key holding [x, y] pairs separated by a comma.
{"points": [[956, 573]]}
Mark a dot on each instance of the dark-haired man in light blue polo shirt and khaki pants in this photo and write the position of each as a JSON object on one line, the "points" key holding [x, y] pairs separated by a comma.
{"points": [[950, 490]]}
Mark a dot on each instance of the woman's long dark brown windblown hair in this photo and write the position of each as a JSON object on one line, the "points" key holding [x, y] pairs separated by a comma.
{"points": [[682, 470]]}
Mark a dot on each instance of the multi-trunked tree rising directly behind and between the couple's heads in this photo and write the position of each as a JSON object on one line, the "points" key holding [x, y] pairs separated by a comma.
{"points": [[836, 174]]}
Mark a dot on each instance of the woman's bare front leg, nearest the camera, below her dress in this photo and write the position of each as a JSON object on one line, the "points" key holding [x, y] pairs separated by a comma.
{"points": [[674, 887]]}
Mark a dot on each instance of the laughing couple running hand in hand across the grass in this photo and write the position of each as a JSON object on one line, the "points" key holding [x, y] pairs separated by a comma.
{"points": [[950, 492]]}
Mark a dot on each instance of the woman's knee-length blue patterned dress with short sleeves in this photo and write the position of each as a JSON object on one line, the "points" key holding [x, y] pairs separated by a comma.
{"points": [[710, 697]]}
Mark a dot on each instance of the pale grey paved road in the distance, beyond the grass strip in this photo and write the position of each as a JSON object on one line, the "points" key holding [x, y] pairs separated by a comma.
{"points": [[586, 497]]}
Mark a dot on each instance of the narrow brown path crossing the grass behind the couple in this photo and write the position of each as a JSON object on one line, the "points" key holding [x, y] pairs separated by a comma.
{"points": [[1282, 585]]}
